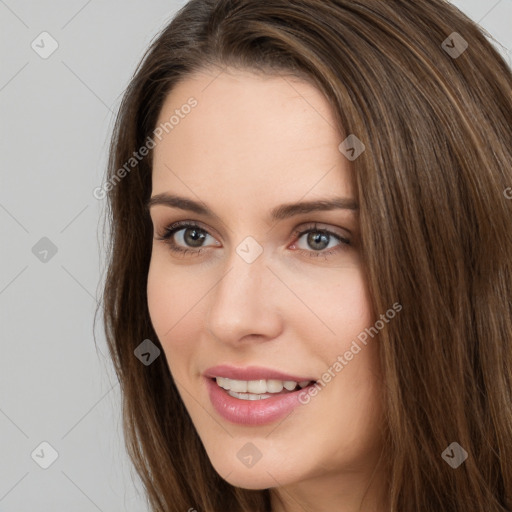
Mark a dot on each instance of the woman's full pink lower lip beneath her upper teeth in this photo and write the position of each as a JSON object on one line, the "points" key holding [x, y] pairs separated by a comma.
{"points": [[252, 412]]}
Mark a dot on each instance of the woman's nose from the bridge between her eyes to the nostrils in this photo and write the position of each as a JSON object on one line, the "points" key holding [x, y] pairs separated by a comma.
{"points": [[240, 303]]}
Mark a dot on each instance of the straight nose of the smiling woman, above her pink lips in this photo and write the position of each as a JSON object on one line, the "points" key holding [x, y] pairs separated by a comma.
{"points": [[244, 305]]}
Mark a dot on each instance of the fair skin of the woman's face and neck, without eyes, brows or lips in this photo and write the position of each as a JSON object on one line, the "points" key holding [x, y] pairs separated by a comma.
{"points": [[254, 142]]}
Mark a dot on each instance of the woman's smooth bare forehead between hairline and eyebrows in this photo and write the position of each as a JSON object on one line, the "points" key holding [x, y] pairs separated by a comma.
{"points": [[262, 138]]}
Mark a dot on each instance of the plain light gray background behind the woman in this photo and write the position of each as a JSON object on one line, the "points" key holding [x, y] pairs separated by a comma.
{"points": [[56, 119]]}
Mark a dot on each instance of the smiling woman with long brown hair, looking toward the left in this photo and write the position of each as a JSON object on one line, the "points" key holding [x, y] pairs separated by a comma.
{"points": [[309, 292]]}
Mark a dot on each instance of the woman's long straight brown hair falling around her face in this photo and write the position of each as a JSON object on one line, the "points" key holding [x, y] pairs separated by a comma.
{"points": [[436, 235]]}
